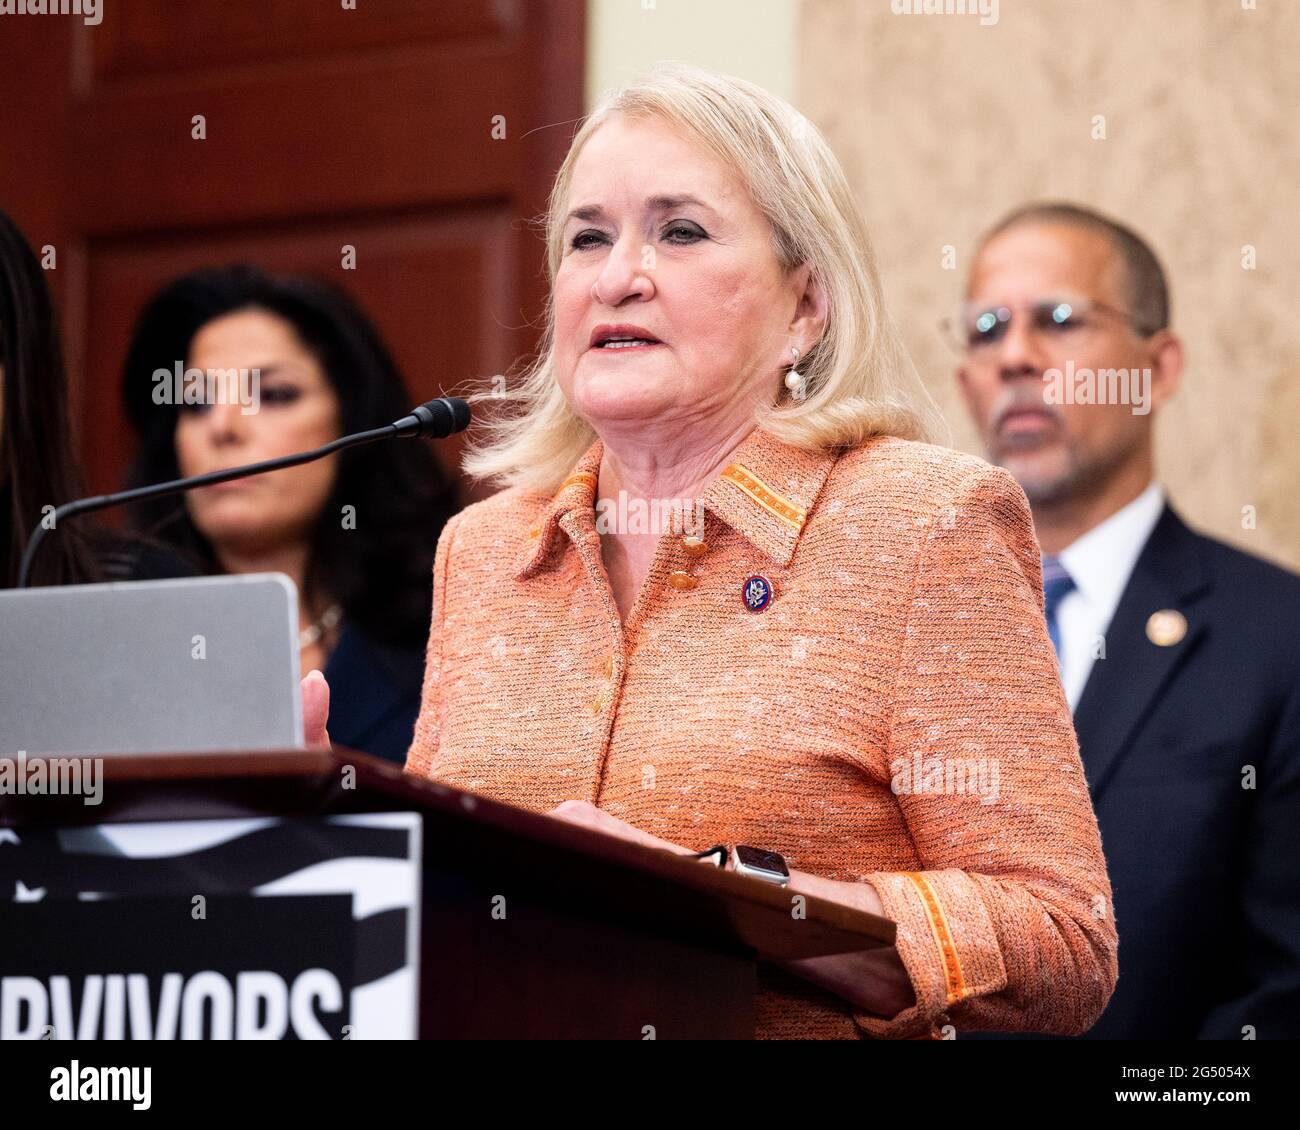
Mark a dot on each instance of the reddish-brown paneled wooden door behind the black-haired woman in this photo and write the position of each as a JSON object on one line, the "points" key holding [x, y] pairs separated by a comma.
{"points": [[422, 133]]}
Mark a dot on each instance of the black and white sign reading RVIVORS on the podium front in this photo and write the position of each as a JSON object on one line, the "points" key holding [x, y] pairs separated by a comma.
{"points": [[253, 929]]}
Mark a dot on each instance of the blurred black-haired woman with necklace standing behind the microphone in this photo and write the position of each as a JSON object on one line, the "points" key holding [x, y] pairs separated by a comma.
{"points": [[298, 365]]}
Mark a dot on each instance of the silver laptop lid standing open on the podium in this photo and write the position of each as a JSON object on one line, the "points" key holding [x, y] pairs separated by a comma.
{"points": [[206, 664]]}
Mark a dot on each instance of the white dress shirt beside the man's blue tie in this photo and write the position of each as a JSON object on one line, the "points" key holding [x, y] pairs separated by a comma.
{"points": [[1100, 562]]}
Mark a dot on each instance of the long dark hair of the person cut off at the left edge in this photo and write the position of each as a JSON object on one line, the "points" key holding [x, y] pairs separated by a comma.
{"points": [[37, 464]]}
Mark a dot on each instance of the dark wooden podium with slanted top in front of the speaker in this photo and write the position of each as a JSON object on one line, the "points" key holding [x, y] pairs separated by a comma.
{"points": [[603, 939]]}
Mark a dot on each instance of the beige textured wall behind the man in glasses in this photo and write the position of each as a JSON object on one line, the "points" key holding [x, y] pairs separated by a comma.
{"points": [[944, 124]]}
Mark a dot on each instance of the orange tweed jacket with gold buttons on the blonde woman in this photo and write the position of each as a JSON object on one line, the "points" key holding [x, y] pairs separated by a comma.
{"points": [[894, 716]]}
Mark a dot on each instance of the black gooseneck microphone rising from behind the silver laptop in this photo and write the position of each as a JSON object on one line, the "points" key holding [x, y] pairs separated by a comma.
{"points": [[436, 419]]}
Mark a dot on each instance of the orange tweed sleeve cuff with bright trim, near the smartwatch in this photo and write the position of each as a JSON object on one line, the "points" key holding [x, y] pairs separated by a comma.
{"points": [[947, 942]]}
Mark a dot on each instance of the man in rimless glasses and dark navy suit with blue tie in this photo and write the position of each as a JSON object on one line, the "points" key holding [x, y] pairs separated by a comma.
{"points": [[1180, 655]]}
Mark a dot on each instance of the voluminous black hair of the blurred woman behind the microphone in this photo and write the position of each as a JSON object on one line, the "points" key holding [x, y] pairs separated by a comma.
{"points": [[382, 574]]}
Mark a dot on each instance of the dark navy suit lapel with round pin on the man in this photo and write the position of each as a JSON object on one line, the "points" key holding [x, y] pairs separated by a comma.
{"points": [[1123, 689]]}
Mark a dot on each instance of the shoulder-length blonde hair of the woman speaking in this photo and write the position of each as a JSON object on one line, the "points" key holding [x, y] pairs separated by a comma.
{"points": [[860, 380]]}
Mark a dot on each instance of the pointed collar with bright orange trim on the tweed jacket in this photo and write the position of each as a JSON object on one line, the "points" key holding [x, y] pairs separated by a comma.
{"points": [[766, 495]]}
